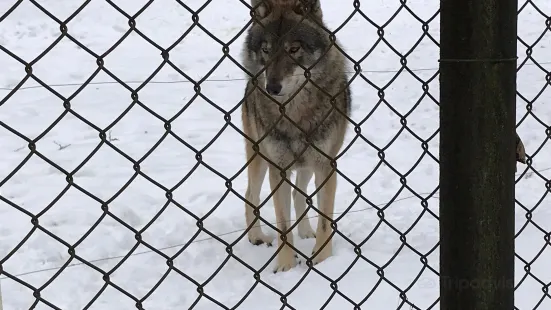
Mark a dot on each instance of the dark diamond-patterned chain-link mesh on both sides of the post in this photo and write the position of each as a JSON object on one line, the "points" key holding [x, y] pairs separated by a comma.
{"points": [[127, 187]]}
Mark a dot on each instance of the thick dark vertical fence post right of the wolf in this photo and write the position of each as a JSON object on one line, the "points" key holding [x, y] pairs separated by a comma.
{"points": [[477, 153]]}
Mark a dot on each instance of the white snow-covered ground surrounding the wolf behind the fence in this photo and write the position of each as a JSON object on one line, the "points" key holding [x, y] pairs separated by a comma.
{"points": [[41, 188]]}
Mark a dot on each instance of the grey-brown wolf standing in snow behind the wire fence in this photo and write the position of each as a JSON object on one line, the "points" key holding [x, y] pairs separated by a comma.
{"points": [[307, 138]]}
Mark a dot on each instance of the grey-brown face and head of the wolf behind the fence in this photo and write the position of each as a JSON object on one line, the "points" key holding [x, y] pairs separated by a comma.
{"points": [[284, 44]]}
